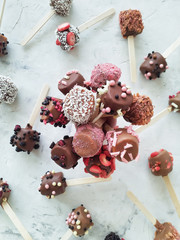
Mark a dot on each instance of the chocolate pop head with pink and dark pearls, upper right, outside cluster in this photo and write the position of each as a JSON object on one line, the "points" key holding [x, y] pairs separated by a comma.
{"points": [[153, 65]]}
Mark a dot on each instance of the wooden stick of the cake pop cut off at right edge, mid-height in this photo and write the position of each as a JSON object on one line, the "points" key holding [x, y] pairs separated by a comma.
{"points": [[154, 119]]}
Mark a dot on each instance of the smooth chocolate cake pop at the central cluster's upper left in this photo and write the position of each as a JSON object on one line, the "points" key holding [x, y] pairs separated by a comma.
{"points": [[71, 79]]}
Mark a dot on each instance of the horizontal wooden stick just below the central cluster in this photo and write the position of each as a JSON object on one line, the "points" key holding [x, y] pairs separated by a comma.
{"points": [[89, 180]]}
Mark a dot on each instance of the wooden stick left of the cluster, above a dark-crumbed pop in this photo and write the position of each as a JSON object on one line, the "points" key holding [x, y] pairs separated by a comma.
{"points": [[37, 106]]}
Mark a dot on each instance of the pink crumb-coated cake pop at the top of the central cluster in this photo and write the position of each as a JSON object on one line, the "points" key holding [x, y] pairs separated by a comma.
{"points": [[102, 73]]}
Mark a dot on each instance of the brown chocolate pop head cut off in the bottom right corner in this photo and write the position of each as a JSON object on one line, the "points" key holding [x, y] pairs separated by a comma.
{"points": [[166, 231]]}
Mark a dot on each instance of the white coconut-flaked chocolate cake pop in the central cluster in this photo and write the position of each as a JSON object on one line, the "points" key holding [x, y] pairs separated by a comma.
{"points": [[79, 105]]}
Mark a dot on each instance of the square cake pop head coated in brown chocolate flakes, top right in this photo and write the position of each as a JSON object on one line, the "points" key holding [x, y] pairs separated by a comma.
{"points": [[130, 23]]}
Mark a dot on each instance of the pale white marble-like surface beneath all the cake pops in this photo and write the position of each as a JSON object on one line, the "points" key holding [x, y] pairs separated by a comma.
{"points": [[41, 61]]}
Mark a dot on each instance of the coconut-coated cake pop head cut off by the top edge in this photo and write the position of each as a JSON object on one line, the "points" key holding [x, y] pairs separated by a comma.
{"points": [[61, 7]]}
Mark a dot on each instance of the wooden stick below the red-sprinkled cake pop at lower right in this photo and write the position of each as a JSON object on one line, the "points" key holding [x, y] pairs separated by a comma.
{"points": [[172, 194]]}
